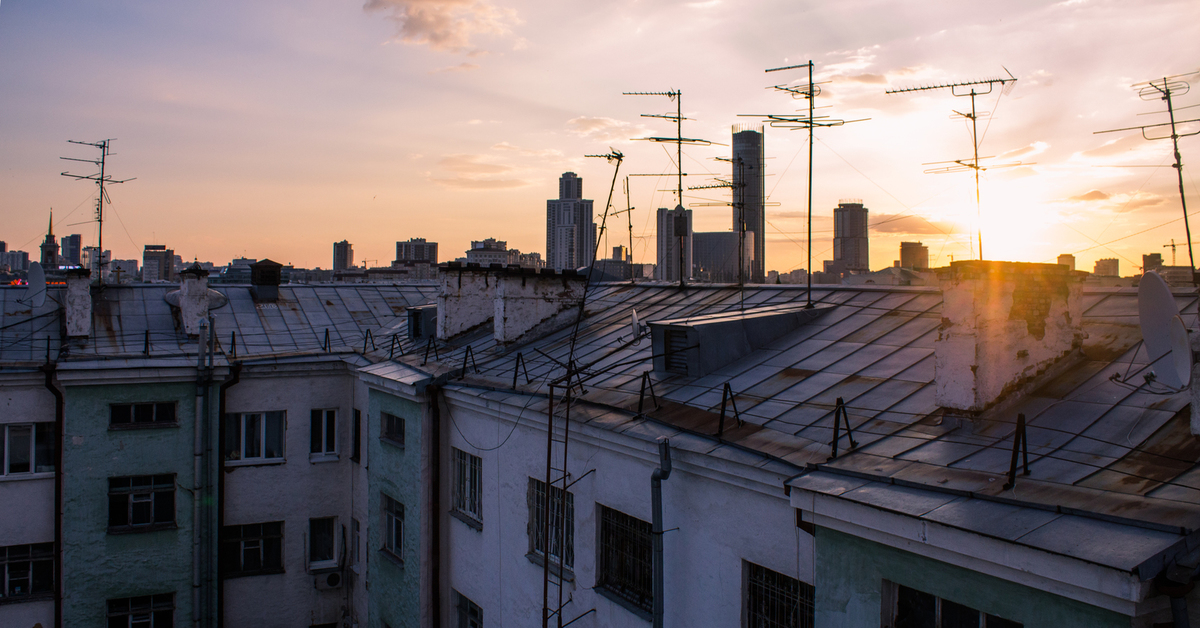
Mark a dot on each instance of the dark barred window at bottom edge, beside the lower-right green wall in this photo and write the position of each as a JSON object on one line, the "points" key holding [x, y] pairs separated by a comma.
{"points": [[776, 601]]}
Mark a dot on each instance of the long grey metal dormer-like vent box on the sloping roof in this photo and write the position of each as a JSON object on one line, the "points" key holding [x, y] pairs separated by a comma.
{"points": [[700, 345]]}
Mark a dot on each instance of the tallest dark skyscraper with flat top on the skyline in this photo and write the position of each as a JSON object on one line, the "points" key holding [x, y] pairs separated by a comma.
{"points": [[749, 194]]}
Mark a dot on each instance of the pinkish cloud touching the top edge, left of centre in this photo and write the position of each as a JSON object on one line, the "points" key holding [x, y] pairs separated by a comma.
{"points": [[446, 25]]}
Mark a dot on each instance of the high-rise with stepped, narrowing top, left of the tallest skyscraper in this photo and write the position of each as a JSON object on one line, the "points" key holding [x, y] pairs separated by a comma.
{"points": [[571, 226]]}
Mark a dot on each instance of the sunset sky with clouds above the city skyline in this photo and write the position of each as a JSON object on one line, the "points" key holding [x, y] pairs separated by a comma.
{"points": [[273, 129]]}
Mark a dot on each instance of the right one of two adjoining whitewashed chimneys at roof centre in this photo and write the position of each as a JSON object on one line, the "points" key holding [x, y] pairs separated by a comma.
{"points": [[529, 302]]}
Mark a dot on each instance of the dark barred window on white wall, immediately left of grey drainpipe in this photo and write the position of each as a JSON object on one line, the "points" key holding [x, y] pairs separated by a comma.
{"points": [[626, 559]]}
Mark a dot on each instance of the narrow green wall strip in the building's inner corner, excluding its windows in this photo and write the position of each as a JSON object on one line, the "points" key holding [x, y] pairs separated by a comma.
{"points": [[395, 589]]}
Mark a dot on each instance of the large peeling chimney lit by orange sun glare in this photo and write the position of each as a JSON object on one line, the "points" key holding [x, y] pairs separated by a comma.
{"points": [[1003, 325]]}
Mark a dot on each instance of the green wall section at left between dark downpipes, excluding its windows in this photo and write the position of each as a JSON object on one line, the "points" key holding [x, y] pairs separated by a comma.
{"points": [[99, 566]]}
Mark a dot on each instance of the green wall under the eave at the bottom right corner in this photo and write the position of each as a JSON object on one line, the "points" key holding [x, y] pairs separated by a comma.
{"points": [[850, 575]]}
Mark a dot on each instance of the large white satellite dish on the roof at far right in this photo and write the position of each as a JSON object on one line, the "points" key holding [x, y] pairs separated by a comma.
{"points": [[1163, 332]]}
